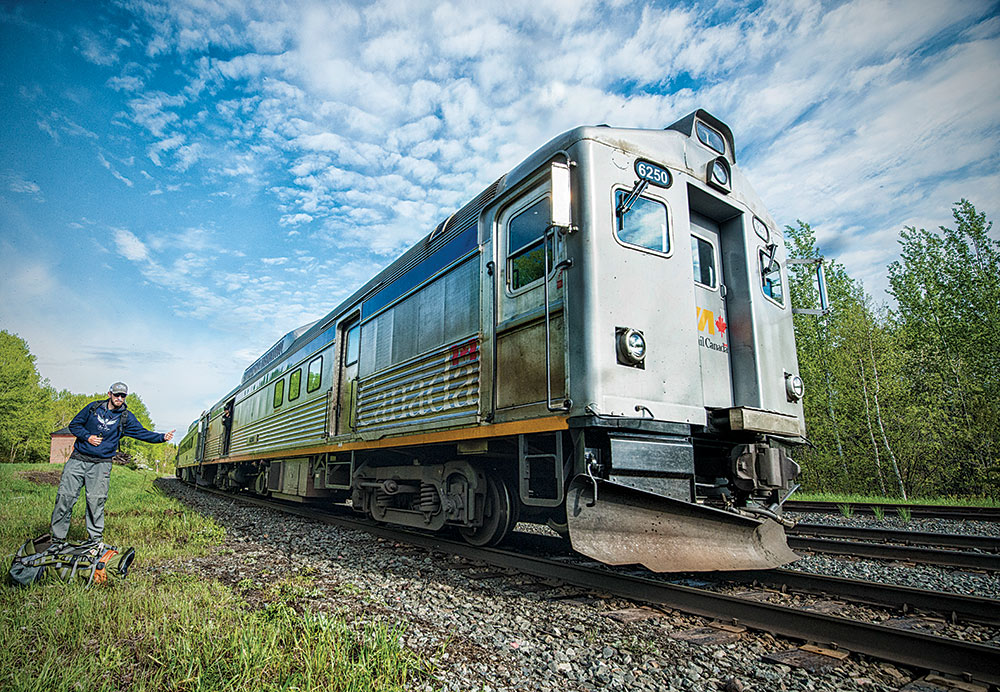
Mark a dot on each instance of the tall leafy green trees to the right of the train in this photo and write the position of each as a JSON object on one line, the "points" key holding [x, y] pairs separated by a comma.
{"points": [[902, 400]]}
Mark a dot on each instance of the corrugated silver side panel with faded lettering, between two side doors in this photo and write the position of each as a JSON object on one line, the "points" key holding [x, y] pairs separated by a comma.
{"points": [[430, 390]]}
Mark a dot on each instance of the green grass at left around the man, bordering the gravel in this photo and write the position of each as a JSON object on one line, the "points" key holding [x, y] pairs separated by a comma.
{"points": [[172, 630]]}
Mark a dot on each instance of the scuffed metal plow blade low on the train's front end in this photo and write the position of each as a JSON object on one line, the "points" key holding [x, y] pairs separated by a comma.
{"points": [[629, 526]]}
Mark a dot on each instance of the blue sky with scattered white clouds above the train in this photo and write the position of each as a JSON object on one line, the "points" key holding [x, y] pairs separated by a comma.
{"points": [[183, 182]]}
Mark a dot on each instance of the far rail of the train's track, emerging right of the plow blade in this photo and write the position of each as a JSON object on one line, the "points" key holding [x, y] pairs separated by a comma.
{"points": [[905, 598]]}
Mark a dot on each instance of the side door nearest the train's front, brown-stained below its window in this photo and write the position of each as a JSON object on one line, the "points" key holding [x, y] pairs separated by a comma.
{"points": [[529, 333]]}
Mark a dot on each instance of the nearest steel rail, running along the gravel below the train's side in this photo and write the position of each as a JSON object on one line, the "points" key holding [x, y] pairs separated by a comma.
{"points": [[915, 649]]}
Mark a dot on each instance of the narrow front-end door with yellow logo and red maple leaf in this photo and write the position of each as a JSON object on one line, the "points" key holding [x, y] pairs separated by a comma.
{"points": [[710, 313]]}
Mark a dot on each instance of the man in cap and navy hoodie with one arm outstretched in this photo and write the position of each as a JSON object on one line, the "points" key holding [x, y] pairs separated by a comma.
{"points": [[99, 428]]}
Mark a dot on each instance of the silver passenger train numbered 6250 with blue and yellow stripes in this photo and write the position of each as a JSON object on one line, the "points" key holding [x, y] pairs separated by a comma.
{"points": [[600, 341]]}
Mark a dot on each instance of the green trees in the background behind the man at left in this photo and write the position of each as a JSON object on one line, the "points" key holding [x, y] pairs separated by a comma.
{"points": [[31, 409]]}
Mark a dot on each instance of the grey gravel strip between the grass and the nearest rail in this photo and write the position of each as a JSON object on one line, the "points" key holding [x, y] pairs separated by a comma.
{"points": [[484, 629]]}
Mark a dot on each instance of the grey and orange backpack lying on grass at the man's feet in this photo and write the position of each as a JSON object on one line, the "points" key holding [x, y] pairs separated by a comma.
{"points": [[68, 560]]}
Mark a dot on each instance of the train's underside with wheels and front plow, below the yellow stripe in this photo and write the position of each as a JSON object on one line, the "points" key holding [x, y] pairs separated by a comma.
{"points": [[624, 490]]}
